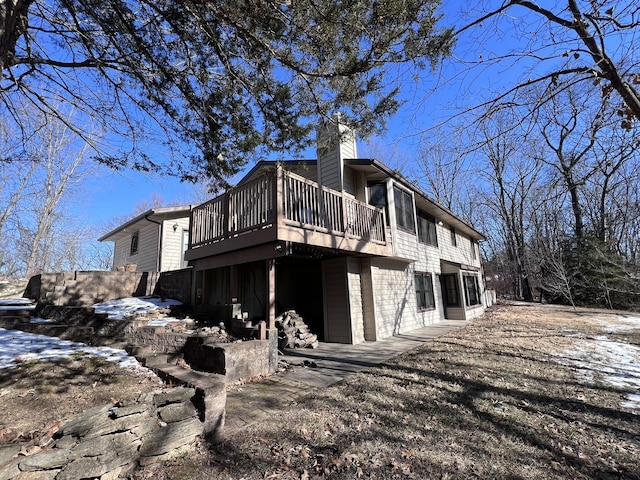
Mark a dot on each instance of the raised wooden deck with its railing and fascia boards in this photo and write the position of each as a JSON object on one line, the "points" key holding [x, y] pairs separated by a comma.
{"points": [[286, 207]]}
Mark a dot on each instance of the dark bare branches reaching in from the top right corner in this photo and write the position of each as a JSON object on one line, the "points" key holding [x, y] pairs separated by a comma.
{"points": [[571, 42]]}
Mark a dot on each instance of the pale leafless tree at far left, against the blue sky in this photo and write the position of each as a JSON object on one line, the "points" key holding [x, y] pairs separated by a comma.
{"points": [[39, 233]]}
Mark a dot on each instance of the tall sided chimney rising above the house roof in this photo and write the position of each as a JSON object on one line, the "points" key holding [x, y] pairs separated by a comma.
{"points": [[335, 143]]}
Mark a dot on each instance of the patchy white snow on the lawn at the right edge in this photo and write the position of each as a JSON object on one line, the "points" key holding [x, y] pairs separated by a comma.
{"points": [[601, 360]]}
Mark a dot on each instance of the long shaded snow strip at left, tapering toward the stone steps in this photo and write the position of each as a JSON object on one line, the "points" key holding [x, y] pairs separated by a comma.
{"points": [[17, 346]]}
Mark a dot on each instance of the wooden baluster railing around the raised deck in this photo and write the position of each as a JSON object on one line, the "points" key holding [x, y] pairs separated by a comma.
{"points": [[304, 204]]}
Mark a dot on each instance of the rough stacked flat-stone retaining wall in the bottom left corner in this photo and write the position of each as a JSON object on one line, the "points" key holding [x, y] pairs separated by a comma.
{"points": [[109, 441]]}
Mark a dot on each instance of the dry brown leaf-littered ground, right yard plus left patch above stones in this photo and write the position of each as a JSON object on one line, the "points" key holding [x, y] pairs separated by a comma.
{"points": [[509, 396]]}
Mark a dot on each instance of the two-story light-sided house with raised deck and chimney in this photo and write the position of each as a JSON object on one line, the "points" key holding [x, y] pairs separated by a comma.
{"points": [[357, 250]]}
